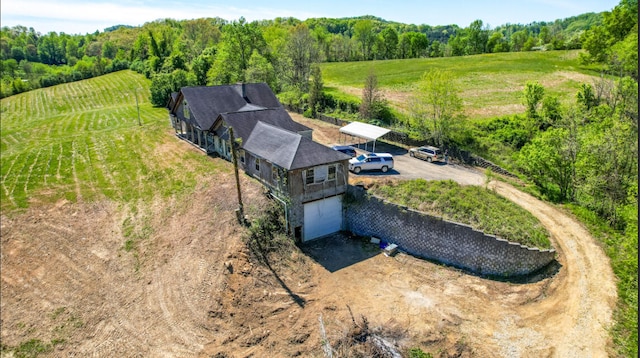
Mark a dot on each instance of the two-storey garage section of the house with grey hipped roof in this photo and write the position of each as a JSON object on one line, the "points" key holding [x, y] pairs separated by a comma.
{"points": [[310, 177]]}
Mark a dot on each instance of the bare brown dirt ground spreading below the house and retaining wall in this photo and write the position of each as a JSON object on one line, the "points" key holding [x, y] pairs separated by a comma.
{"points": [[191, 289]]}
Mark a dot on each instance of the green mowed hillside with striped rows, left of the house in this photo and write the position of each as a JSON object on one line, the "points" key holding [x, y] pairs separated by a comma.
{"points": [[82, 141]]}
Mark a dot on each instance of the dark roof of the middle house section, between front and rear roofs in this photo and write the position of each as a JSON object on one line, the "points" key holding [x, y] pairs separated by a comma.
{"points": [[244, 122]]}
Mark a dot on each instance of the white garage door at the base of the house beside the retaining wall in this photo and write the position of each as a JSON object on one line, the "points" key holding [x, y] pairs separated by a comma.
{"points": [[322, 217]]}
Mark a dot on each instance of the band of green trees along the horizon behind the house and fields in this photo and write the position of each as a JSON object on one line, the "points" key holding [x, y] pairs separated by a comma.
{"points": [[213, 50]]}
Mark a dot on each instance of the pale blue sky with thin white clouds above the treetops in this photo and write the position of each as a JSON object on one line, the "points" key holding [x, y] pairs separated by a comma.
{"points": [[87, 16]]}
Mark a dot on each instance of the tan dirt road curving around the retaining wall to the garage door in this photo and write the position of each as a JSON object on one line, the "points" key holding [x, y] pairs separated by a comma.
{"points": [[565, 315]]}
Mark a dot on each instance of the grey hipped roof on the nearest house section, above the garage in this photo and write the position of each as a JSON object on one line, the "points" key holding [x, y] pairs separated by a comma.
{"points": [[287, 149]]}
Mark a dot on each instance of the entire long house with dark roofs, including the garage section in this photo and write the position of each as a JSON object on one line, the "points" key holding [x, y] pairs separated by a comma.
{"points": [[306, 177]]}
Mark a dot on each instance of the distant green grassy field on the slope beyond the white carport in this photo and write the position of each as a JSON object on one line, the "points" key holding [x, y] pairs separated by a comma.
{"points": [[489, 84]]}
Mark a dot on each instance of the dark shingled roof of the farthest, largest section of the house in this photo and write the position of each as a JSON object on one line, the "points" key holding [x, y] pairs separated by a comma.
{"points": [[207, 103]]}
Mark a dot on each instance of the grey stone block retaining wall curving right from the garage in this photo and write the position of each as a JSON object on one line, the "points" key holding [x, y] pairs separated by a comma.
{"points": [[433, 238]]}
